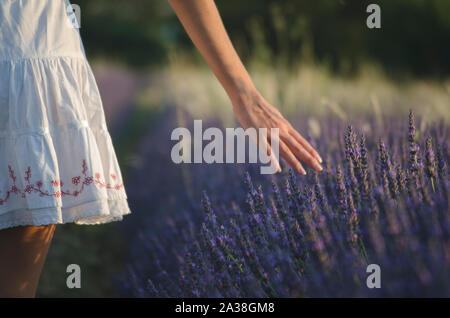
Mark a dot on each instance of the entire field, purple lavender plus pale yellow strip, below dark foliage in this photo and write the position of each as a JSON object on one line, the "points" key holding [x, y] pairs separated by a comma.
{"points": [[200, 230]]}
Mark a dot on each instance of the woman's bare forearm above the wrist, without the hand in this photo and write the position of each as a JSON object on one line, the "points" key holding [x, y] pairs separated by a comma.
{"points": [[204, 26]]}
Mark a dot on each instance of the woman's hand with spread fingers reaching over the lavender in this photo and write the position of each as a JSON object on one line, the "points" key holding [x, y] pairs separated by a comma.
{"points": [[252, 110]]}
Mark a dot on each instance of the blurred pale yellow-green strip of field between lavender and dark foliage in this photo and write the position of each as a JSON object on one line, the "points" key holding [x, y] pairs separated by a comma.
{"points": [[308, 89]]}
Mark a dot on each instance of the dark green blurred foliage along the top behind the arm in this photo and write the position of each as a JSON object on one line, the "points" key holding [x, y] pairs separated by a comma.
{"points": [[414, 38]]}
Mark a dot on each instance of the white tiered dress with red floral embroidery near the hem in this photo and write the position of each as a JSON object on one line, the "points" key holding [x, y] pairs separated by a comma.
{"points": [[57, 161]]}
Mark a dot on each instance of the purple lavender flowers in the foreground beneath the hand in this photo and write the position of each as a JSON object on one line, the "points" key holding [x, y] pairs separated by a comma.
{"points": [[226, 231]]}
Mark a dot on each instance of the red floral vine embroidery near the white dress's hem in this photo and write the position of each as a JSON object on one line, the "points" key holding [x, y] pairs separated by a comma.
{"points": [[84, 180]]}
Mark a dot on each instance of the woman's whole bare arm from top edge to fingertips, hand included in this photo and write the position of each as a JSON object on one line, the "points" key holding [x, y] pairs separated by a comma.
{"points": [[202, 22]]}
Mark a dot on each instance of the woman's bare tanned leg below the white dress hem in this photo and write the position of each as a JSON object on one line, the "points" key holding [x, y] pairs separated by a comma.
{"points": [[23, 251]]}
